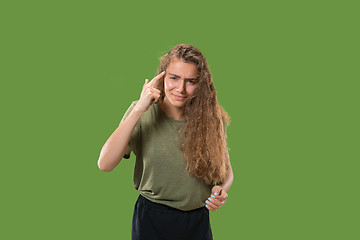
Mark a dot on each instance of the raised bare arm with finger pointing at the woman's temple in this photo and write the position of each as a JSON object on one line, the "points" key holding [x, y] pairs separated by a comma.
{"points": [[117, 145]]}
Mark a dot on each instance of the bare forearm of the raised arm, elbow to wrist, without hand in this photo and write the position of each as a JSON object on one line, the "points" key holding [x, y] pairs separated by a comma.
{"points": [[115, 147]]}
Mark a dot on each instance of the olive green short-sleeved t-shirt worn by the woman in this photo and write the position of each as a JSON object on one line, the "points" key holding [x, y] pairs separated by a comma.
{"points": [[160, 173]]}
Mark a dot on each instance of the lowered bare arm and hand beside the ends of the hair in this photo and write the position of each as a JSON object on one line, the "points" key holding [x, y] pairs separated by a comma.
{"points": [[218, 193]]}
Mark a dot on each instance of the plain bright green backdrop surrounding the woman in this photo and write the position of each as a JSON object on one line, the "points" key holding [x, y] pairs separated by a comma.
{"points": [[287, 73]]}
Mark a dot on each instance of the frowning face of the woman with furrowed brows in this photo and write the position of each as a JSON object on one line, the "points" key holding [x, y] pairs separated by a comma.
{"points": [[180, 82]]}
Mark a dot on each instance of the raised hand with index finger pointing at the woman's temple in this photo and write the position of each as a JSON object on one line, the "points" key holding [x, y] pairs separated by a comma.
{"points": [[149, 94]]}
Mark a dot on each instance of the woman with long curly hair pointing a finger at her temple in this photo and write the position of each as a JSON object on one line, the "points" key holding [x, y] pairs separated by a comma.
{"points": [[177, 130]]}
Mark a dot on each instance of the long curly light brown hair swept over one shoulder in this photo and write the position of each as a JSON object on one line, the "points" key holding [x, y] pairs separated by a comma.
{"points": [[203, 140]]}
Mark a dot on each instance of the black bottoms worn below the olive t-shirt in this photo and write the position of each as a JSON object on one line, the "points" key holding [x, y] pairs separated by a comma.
{"points": [[157, 221]]}
